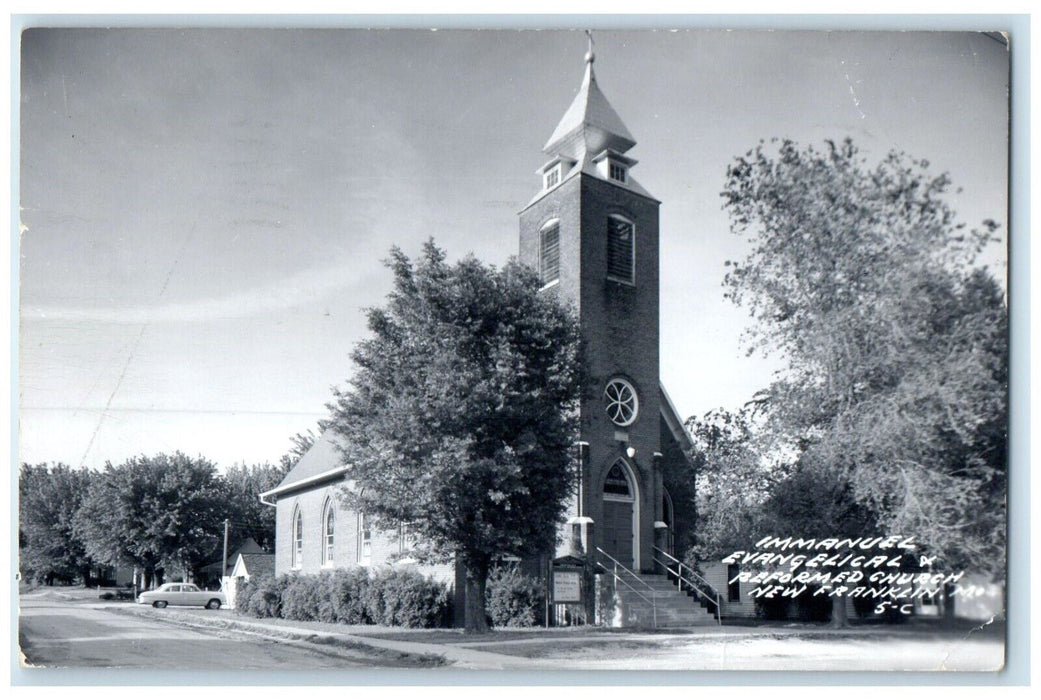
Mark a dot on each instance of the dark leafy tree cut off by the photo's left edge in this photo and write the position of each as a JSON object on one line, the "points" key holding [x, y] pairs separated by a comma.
{"points": [[49, 547]]}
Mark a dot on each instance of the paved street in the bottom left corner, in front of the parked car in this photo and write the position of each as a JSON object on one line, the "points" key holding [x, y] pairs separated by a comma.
{"points": [[59, 633]]}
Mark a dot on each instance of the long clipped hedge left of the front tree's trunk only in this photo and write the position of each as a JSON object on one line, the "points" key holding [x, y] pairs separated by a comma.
{"points": [[400, 598]]}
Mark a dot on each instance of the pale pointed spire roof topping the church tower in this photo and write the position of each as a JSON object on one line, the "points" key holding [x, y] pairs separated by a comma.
{"points": [[591, 124]]}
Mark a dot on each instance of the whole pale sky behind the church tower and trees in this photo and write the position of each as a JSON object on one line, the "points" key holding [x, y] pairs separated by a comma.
{"points": [[205, 211]]}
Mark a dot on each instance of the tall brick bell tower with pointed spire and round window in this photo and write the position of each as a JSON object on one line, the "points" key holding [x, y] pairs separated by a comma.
{"points": [[592, 233]]}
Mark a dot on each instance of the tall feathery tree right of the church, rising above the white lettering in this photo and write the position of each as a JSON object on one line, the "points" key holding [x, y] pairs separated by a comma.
{"points": [[864, 280]]}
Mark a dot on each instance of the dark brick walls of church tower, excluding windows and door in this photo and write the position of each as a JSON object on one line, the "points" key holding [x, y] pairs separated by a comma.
{"points": [[620, 329]]}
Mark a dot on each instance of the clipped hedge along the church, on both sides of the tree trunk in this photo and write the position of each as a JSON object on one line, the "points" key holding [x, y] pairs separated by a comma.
{"points": [[401, 598]]}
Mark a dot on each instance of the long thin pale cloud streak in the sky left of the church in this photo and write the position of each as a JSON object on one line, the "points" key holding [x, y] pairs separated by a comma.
{"points": [[303, 288]]}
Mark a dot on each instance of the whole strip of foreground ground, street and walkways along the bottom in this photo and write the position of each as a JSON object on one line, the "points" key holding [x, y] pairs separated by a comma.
{"points": [[73, 630]]}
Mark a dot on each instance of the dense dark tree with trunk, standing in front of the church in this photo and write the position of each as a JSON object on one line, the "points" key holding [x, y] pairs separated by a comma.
{"points": [[462, 415]]}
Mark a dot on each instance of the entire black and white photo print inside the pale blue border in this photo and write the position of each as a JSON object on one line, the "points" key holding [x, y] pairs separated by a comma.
{"points": [[440, 351]]}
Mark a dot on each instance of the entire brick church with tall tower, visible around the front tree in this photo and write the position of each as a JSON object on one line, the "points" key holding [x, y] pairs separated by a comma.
{"points": [[592, 232]]}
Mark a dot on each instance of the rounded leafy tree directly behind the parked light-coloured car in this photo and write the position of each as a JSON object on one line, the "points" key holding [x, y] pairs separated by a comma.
{"points": [[165, 512]]}
